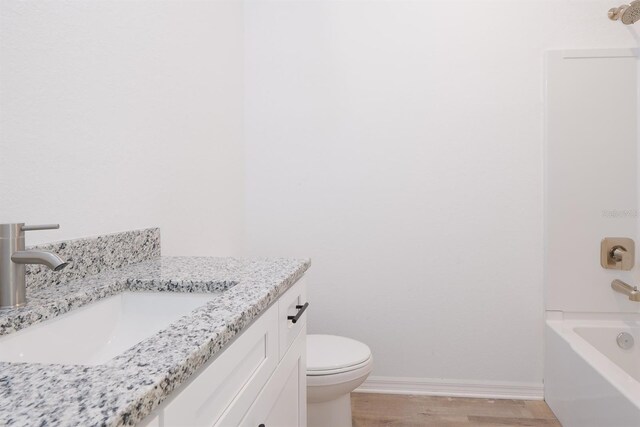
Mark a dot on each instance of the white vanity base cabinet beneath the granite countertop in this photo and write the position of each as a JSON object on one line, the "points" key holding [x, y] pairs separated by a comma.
{"points": [[259, 378]]}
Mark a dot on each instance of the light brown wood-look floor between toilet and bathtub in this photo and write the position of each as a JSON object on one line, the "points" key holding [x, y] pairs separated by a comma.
{"points": [[378, 410]]}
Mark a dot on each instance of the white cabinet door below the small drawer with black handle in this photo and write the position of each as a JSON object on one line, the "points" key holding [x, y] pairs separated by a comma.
{"points": [[283, 401]]}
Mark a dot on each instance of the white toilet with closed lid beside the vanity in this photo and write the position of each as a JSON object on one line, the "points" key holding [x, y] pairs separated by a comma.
{"points": [[335, 367]]}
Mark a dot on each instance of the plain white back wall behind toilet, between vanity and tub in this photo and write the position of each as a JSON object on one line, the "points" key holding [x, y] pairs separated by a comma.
{"points": [[399, 144]]}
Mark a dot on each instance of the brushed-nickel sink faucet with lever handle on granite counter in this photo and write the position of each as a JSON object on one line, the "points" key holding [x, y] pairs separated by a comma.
{"points": [[13, 258]]}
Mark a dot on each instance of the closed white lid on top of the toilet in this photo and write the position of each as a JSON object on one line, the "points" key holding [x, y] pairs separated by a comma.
{"points": [[328, 352]]}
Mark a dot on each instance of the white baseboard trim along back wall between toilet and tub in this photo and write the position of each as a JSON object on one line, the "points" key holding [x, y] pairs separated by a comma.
{"points": [[453, 388]]}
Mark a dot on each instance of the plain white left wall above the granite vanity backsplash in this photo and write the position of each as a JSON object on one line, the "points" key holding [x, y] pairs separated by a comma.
{"points": [[116, 115]]}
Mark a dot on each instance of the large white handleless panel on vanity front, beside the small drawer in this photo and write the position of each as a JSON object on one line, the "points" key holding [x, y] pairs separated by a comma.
{"points": [[229, 384]]}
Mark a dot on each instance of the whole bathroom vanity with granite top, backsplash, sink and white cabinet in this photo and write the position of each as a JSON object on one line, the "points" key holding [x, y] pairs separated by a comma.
{"points": [[123, 336]]}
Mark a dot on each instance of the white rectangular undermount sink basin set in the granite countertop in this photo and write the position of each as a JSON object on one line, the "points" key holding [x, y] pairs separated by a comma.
{"points": [[98, 332]]}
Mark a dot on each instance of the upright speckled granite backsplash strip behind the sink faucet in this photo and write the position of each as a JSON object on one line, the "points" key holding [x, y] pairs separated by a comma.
{"points": [[93, 255]]}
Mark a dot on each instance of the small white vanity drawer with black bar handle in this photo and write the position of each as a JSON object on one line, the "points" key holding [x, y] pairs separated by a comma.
{"points": [[292, 304]]}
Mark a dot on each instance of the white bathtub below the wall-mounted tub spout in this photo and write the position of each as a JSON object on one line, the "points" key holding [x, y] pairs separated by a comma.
{"points": [[589, 381]]}
